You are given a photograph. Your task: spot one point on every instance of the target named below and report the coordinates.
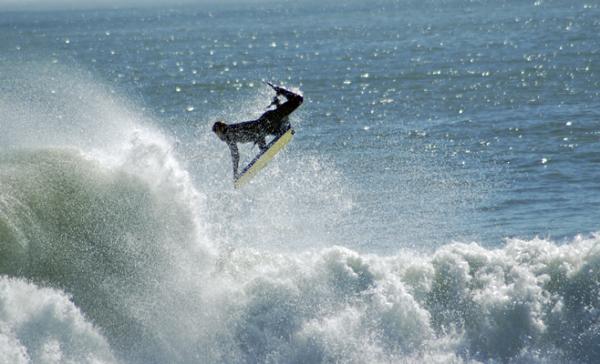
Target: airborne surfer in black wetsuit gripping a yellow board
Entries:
(273, 122)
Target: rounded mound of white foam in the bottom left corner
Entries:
(42, 325)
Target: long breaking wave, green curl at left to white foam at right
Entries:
(119, 249)
